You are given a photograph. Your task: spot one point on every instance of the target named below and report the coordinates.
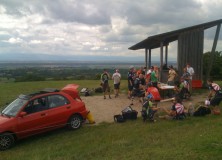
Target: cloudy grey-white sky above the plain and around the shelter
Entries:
(97, 29)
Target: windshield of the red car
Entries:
(13, 108)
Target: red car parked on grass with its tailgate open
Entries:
(39, 112)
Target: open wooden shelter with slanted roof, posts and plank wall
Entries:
(190, 46)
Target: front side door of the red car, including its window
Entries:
(35, 119)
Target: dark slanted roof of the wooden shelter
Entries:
(153, 42)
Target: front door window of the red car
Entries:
(36, 105)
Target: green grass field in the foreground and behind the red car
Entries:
(193, 138)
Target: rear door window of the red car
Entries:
(57, 100)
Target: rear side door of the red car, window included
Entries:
(59, 110)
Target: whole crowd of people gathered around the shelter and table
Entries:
(140, 80)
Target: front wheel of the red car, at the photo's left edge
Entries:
(7, 140)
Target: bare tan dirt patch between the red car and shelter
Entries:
(103, 110)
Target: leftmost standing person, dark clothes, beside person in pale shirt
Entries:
(105, 83)
